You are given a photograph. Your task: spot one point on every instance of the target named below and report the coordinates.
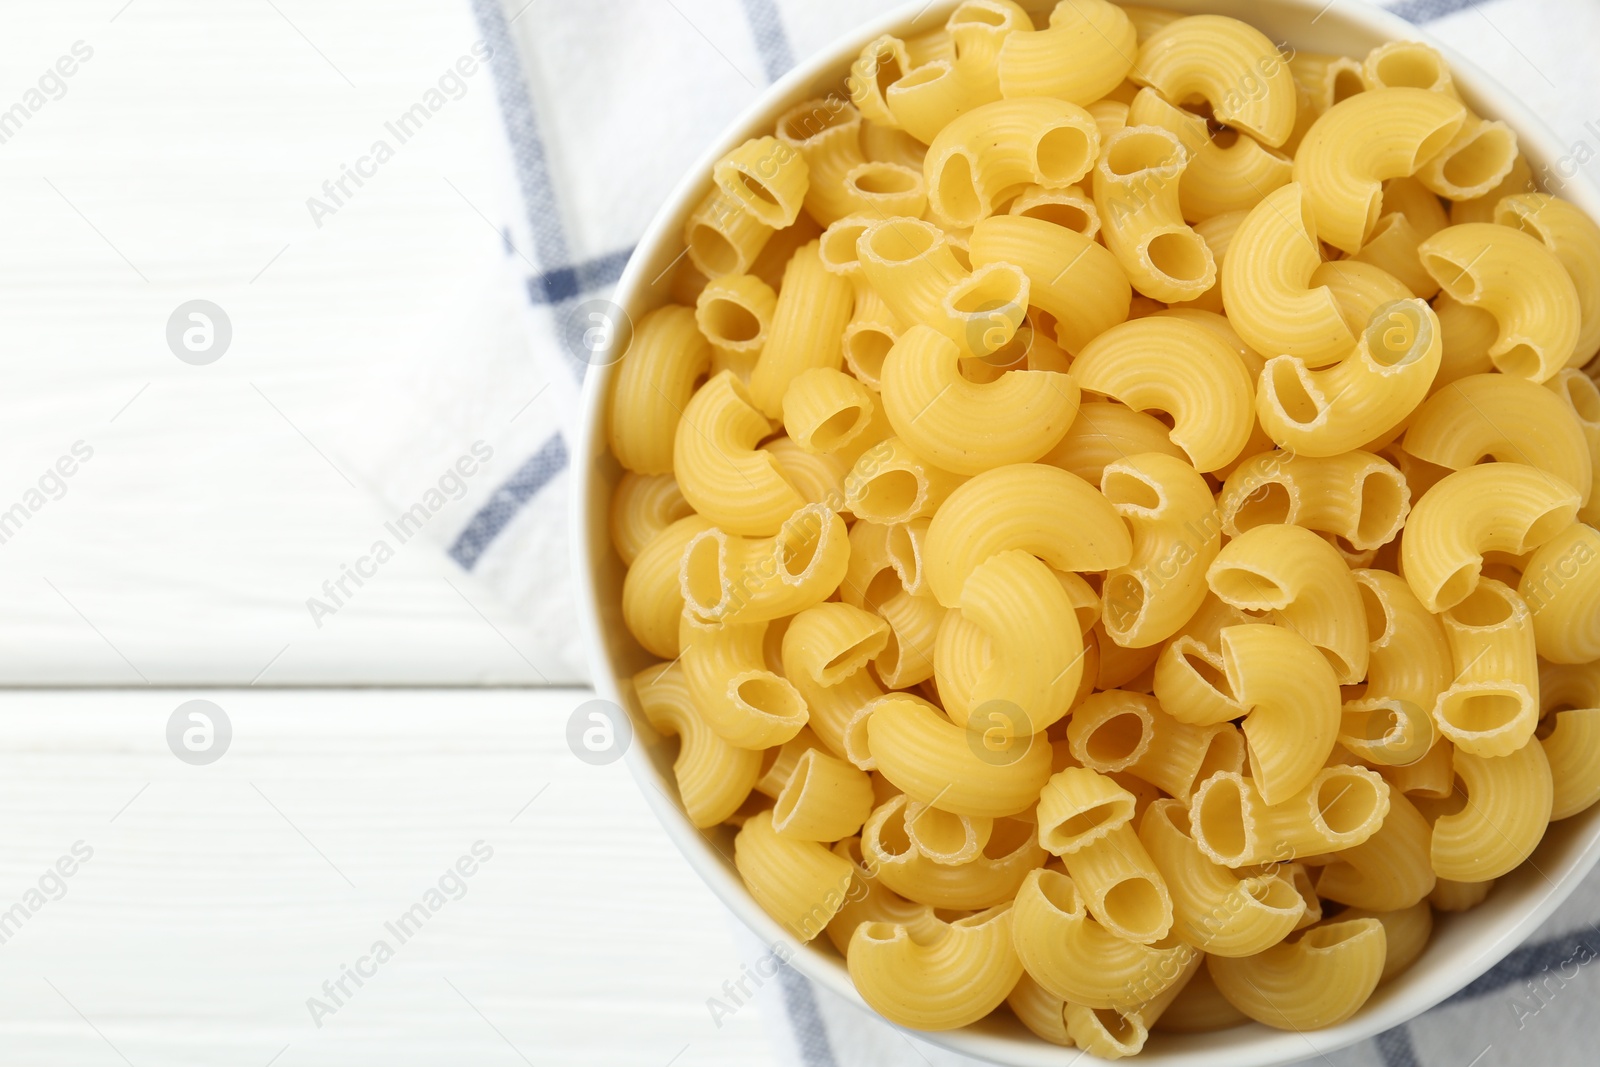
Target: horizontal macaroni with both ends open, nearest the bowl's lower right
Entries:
(1236, 826)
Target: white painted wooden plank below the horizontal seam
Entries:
(220, 898)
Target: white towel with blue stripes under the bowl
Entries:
(606, 106)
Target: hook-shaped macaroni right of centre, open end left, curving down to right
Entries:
(1302, 578)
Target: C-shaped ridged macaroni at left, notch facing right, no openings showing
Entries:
(721, 471)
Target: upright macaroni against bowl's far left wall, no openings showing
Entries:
(655, 382)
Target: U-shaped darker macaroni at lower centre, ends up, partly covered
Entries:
(991, 877)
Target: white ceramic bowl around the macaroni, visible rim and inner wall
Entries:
(1463, 946)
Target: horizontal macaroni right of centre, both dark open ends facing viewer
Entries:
(1356, 497)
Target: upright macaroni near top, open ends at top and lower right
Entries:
(1137, 183)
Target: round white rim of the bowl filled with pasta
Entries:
(591, 543)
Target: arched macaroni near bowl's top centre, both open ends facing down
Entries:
(1004, 145)
